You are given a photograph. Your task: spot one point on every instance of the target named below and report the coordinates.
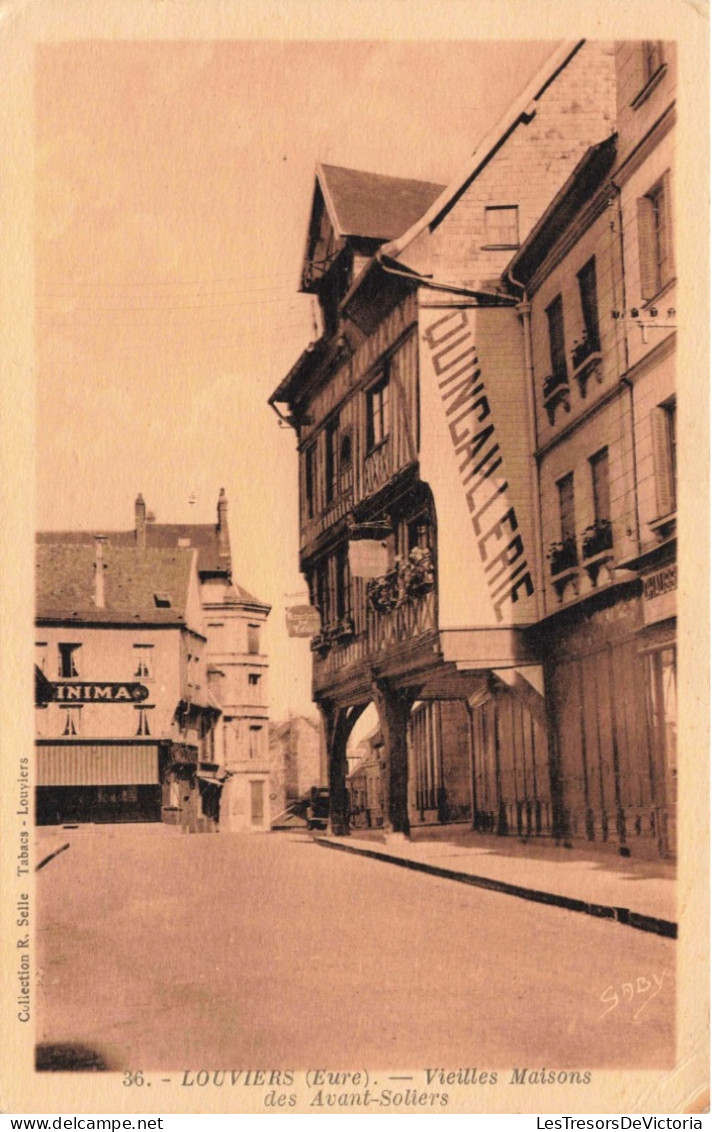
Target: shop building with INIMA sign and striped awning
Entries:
(121, 641)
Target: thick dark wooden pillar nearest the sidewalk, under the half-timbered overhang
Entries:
(394, 710)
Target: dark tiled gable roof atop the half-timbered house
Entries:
(373, 205)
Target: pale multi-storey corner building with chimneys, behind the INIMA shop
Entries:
(231, 777)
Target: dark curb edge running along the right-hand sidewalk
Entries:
(640, 921)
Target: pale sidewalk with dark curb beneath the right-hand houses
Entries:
(631, 890)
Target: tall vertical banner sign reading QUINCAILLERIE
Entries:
(475, 456)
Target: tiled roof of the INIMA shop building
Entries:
(139, 584)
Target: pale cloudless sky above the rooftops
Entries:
(174, 184)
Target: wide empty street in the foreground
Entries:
(167, 951)
